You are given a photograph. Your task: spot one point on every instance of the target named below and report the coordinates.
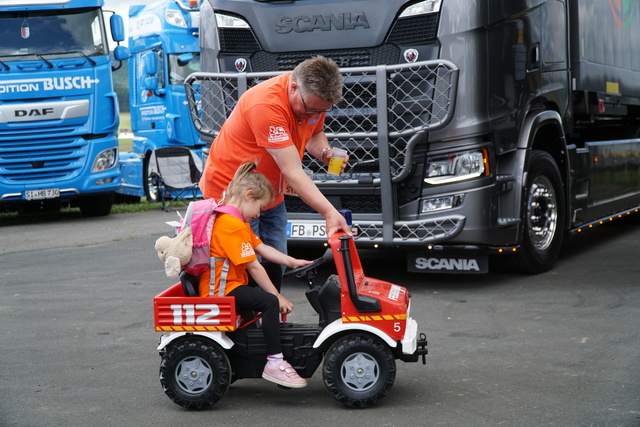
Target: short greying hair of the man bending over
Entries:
(320, 76)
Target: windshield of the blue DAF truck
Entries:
(52, 32)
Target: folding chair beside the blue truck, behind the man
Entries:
(176, 171)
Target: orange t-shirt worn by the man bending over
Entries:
(262, 119)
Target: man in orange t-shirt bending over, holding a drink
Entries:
(275, 122)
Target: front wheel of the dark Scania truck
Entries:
(544, 215)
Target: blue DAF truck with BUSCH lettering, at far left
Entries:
(58, 109)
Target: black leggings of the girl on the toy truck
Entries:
(256, 299)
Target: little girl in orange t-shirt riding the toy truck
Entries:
(234, 247)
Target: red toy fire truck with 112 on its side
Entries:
(363, 327)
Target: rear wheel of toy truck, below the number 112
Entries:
(195, 373)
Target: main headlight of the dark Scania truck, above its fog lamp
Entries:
(455, 167)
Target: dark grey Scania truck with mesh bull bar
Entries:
(473, 127)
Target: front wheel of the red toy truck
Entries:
(358, 370)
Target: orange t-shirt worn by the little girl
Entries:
(232, 243)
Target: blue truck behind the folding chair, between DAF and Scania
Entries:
(163, 42)
